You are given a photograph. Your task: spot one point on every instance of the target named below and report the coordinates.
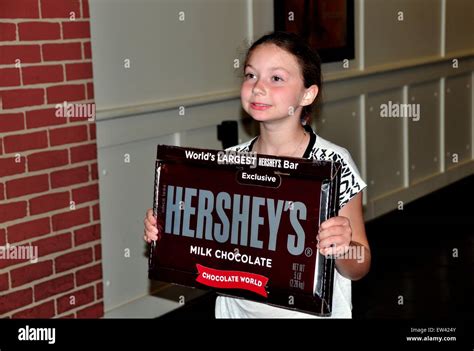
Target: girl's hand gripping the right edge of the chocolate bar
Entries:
(334, 236)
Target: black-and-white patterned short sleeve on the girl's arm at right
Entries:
(351, 181)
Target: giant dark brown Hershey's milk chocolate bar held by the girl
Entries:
(245, 225)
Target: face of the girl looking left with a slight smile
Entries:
(273, 87)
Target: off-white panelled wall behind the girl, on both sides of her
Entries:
(189, 64)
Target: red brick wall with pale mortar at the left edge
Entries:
(50, 264)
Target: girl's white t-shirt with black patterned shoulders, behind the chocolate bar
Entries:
(351, 184)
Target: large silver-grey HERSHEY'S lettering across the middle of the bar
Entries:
(245, 215)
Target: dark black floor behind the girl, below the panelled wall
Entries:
(422, 262)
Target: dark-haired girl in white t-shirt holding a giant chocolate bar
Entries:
(282, 78)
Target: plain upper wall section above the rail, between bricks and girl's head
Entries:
(169, 58)
